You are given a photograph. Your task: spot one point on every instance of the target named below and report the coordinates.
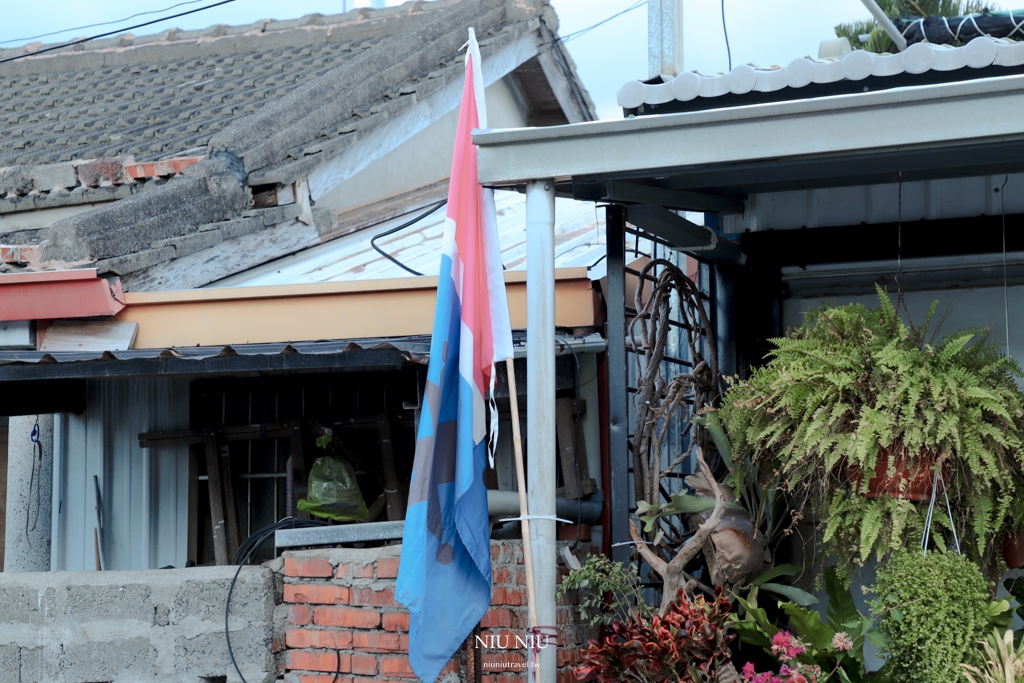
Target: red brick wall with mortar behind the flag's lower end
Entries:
(343, 617)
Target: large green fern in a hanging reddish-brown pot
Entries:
(858, 391)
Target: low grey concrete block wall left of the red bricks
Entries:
(136, 626)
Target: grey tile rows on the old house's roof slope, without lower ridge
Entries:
(161, 96)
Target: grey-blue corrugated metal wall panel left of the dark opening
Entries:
(144, 491)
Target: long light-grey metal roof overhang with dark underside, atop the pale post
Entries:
(950, 131)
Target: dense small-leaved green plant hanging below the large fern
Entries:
(933, 611)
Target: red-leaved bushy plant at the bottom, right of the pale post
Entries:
(687, 646)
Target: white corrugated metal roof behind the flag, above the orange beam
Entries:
(579, 242)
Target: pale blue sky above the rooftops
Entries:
(761, 32)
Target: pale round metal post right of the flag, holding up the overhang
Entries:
(541, 456)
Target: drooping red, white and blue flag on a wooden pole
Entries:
(445, 575)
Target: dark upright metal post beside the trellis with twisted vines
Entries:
(618, 487)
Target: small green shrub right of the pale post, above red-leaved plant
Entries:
(601, 577)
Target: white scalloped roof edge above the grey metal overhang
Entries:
(879, 70)
